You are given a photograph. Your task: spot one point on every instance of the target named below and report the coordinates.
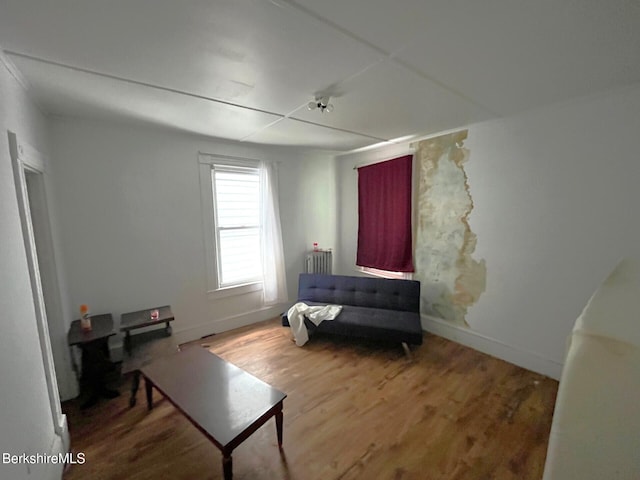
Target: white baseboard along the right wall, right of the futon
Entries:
(493, 347)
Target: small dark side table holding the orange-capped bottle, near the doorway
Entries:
(96, 359)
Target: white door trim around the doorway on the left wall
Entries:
(26, 158)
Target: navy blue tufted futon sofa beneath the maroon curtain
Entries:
(374, 308)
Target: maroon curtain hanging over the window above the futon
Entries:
(384, 215)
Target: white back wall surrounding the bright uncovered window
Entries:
(131, 221)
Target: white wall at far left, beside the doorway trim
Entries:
(26, 420)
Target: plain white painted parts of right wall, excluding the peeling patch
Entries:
(555, 193)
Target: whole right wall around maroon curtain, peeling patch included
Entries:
(548, 214)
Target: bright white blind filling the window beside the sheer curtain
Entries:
(237, 210)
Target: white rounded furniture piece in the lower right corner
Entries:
(595, 432)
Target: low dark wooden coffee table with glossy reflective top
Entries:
(221, 400)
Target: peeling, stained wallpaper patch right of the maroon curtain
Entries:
(451, 278)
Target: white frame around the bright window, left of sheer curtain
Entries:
(211, 241)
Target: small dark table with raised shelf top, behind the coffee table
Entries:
(141, 349)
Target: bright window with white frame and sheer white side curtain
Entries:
(241, 225)
